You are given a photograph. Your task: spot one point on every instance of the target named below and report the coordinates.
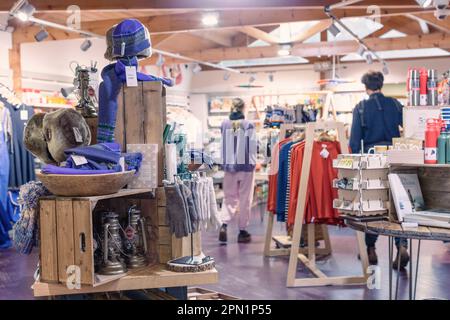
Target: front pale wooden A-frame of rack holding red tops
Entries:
(320, 279)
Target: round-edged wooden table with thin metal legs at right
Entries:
(395, 230)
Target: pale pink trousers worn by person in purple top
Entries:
(238, 194)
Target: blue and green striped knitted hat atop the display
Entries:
(131, 38)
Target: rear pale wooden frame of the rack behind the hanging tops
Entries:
(282, 240)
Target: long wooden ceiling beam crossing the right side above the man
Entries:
(437, 40)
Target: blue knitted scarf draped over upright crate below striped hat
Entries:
(113, 78)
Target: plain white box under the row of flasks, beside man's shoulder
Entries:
(415, 118)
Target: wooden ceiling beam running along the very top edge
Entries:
(45, 5)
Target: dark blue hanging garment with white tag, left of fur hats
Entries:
(21, 161)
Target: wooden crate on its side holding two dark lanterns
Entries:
(67, 233)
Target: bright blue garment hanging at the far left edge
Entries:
(5, 219)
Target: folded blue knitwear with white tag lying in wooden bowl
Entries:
(96, 159)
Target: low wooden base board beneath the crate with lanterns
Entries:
(154, 277)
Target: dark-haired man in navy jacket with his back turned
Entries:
(375, 122)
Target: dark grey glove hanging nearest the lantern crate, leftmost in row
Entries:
(176, 211)
